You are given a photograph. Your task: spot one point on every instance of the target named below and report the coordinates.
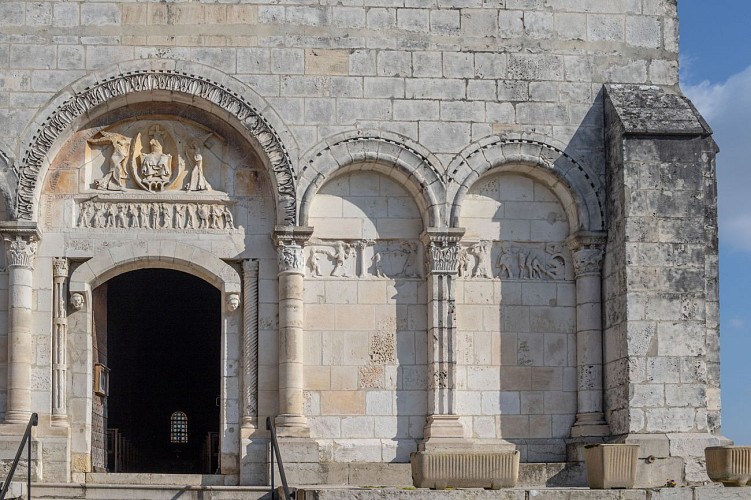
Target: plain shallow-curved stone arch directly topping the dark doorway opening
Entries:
(155, 254)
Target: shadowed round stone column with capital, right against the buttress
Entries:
(587, 250)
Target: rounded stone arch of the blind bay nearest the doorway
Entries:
(413, 166)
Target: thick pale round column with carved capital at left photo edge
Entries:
(21, 251)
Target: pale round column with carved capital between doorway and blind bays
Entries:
(291, 421)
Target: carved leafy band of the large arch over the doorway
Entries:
(156, 80)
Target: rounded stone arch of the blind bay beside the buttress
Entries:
(581, 191)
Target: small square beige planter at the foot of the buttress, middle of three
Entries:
(611, 465)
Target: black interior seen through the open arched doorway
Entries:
(163, 330)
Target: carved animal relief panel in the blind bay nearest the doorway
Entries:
(364, 258)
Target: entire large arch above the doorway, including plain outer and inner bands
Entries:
(164, 80)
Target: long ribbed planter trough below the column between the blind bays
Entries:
(465, 470)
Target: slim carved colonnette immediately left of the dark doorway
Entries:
(59, 341)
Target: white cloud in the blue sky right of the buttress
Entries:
(727, 108)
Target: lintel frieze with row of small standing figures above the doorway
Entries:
(166, 215)
